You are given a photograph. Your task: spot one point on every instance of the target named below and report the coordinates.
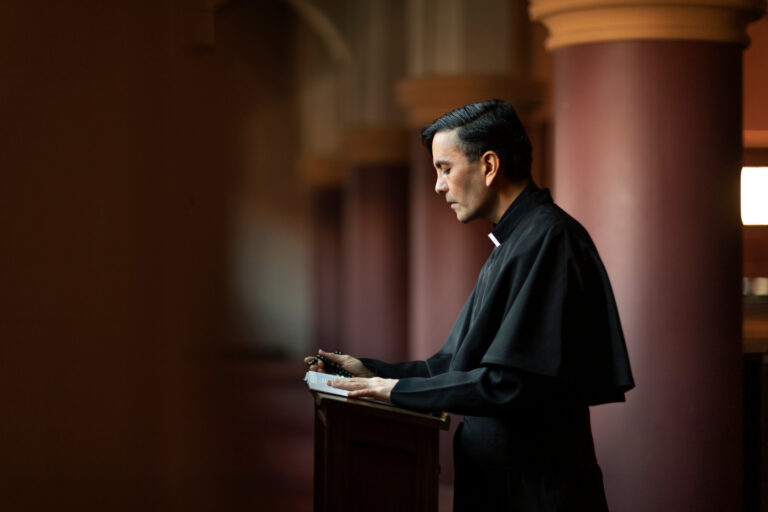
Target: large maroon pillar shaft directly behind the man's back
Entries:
(647, 157)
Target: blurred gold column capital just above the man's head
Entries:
(425, 99)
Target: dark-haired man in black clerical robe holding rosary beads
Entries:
(537, 342)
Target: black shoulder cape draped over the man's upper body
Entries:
(543, 304)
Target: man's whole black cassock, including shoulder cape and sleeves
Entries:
(537, 342)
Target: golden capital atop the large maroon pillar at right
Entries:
(573, 22)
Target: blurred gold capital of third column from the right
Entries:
(372, 146)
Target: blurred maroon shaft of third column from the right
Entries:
(376, 269)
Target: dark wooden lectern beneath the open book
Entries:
(374, 457)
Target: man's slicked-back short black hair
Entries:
(490, 125)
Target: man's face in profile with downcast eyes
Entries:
(461, 181)
